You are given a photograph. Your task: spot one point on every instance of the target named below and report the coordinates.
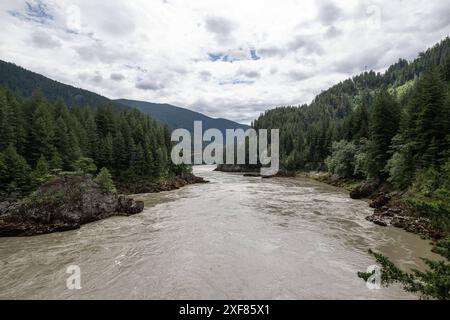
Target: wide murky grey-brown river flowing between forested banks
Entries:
(234, 238)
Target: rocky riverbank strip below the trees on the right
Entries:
(390, 206)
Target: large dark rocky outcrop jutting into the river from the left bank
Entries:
(63, 204)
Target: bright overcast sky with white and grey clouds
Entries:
(231, 59)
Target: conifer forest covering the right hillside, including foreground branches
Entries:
(393, 128)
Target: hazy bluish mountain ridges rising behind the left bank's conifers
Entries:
(24, 82)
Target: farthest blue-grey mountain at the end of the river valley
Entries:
(176, 117)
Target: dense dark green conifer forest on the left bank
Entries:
(40, 139)
